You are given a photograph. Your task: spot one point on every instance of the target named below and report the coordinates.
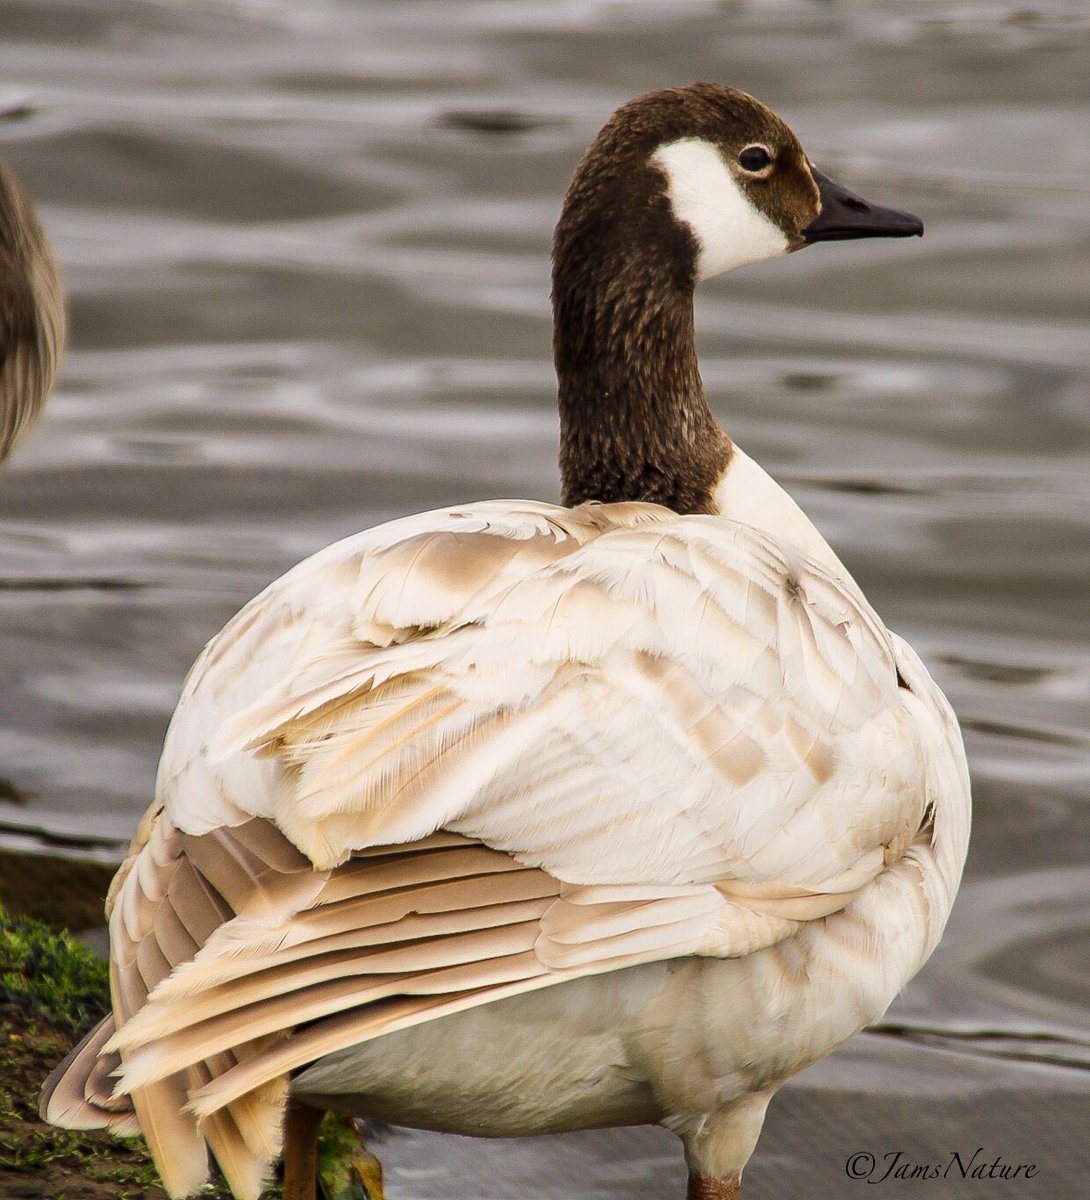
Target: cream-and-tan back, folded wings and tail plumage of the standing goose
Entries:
(733, 710)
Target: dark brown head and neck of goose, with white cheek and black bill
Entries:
(679, 187)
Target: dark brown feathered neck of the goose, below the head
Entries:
(634, 421)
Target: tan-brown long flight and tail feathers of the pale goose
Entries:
(224, 944)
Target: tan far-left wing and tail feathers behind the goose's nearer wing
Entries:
(172, 895)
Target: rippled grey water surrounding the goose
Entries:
(307, 251)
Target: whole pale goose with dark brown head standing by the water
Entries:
(520, 818)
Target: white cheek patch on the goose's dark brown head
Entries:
(730, 230)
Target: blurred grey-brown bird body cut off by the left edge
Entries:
(32, 314)
